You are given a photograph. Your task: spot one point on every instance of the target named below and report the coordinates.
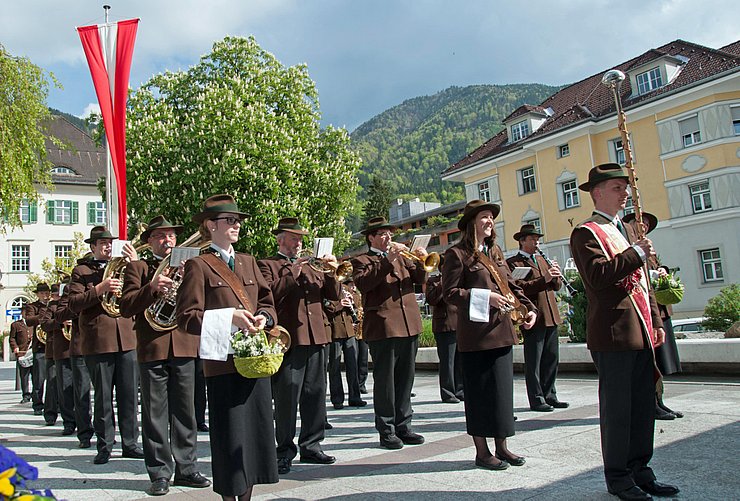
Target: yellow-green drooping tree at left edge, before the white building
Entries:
(23, 113)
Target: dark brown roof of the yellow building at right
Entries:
(590, 100)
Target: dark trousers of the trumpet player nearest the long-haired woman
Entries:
(393, 378)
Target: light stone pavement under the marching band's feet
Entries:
(698, 453)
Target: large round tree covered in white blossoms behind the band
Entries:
(239, 122)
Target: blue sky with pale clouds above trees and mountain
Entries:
(369, 55)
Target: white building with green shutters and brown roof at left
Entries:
(73, 205)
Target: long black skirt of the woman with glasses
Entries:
(242, 433)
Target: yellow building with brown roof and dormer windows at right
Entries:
(682, 103)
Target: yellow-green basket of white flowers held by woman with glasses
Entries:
(256, 355)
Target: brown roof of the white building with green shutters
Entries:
(78, 153)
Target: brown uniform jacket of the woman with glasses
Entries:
(203, 289)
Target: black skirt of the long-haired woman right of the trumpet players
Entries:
(488, 379)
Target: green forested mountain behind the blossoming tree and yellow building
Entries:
(410, 144)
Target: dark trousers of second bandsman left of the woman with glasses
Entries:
(119, 370)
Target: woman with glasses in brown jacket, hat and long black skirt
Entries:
(242, 432)
